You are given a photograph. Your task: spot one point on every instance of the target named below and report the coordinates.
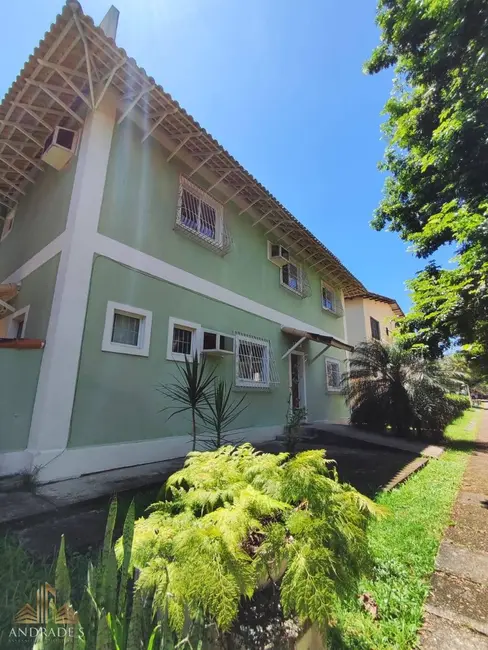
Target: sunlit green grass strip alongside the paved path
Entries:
(404, 546)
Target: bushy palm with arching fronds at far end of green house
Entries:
(391, 388)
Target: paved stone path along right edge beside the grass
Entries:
(456, 613)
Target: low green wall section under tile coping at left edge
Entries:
(19, 372)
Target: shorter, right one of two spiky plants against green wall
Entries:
(222, 411)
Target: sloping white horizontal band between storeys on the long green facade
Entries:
(159, 269)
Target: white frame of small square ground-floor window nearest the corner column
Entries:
(145, 326)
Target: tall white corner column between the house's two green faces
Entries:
(59, 368)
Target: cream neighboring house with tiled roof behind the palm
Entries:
(371, 316)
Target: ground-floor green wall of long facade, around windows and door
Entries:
(116, 398)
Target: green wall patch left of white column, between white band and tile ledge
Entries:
(37, 290)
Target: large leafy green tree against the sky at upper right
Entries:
(436, 191)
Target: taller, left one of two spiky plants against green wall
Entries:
(188, 391)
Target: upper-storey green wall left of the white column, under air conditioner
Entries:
(40, 218)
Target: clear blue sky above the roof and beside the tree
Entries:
(282, 89)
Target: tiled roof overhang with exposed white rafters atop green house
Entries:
(68, 75)
